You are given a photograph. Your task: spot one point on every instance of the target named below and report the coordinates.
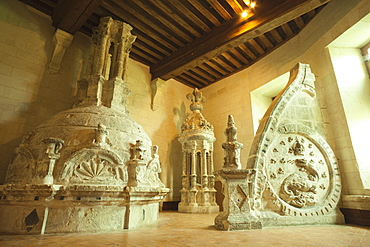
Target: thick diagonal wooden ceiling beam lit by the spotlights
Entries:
(230, 34)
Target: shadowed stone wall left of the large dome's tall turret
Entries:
(29, 94)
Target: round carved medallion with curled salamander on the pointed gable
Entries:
(302, 175)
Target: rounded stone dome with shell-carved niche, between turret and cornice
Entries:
(79, 130)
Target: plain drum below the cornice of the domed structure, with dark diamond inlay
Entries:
(42, 220)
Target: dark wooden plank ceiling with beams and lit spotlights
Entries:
(196, 42)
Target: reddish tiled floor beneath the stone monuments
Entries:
(180, 229)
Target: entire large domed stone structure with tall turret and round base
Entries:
(91, 168)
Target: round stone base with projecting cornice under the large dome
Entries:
(39, 209)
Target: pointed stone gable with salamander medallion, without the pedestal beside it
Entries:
(293, 155)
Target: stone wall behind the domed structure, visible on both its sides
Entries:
(29, 94)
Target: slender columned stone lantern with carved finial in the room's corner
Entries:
(198, 194)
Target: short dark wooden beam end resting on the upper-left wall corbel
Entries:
(71, 15)
